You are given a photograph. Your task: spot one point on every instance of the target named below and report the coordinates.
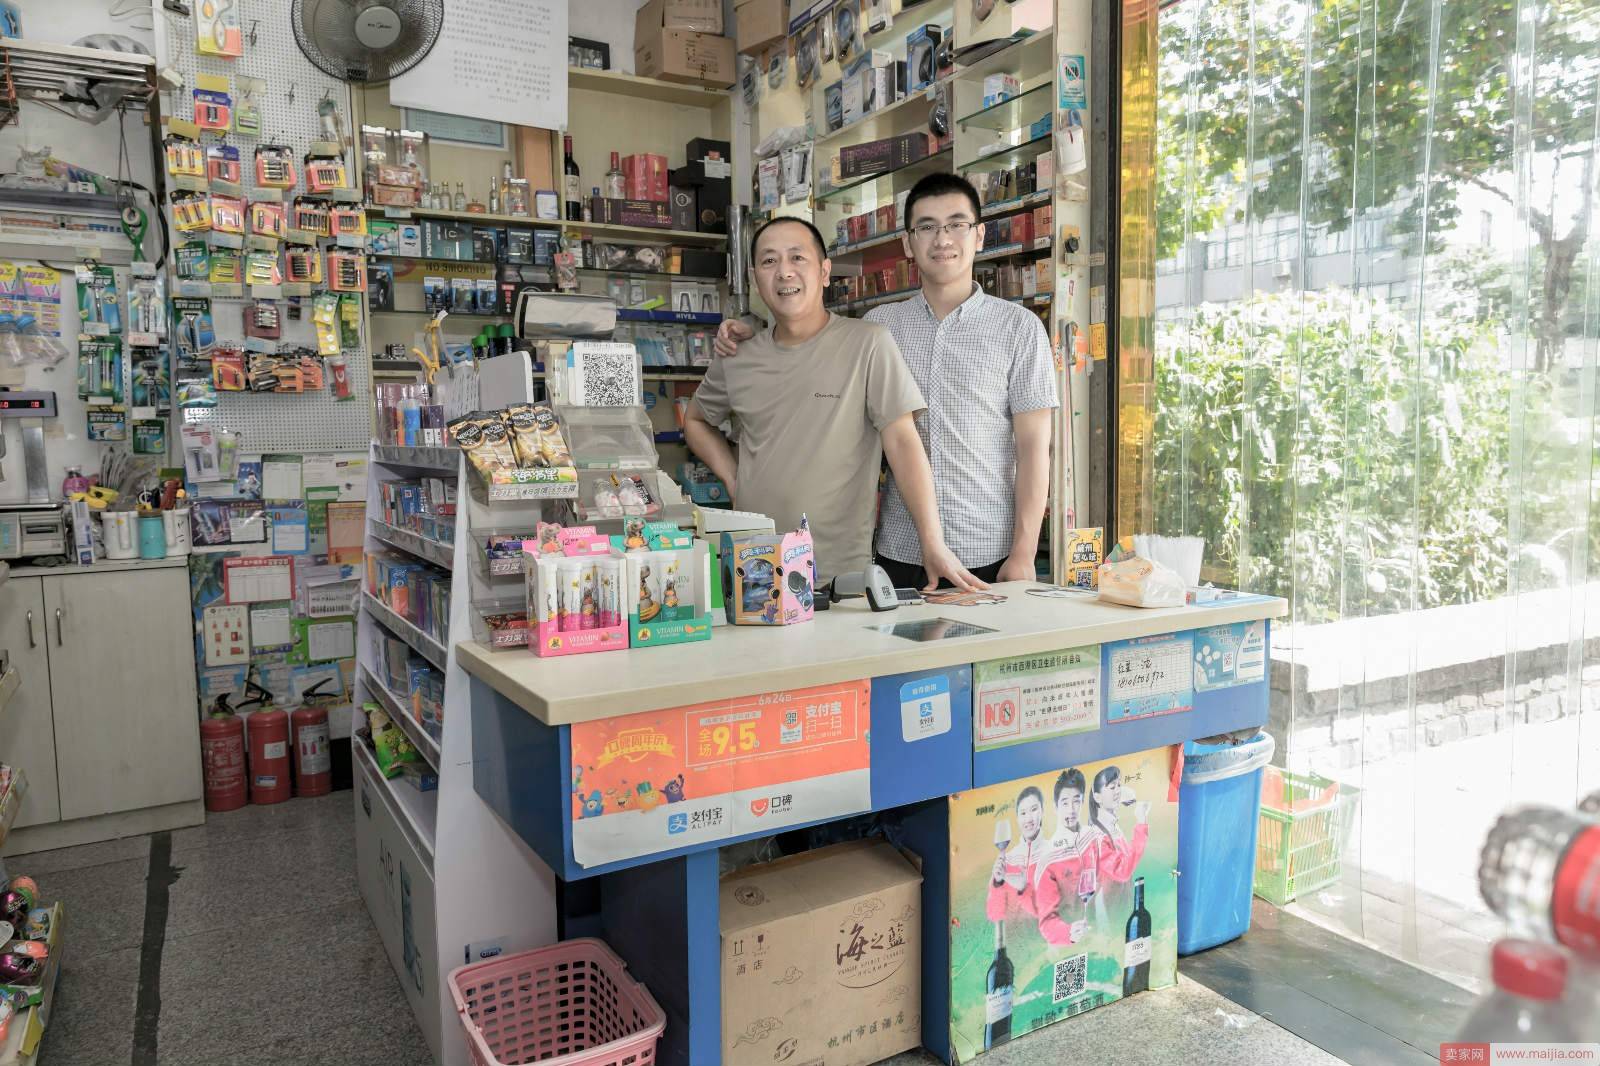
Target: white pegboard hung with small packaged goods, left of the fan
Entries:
(284, 286)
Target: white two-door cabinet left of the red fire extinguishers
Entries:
(105, 723)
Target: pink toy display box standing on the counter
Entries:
(575, 595)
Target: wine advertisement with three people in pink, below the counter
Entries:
(1065, 896)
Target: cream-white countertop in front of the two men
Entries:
(838, 646)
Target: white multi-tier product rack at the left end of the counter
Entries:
(412, 726)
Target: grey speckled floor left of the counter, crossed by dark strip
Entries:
(268, 955)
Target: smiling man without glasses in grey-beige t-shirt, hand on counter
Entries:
(820, 401)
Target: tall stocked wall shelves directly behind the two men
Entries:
(996, 94)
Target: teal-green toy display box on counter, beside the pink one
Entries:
(668, 585)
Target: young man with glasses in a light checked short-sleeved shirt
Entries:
(986, 371)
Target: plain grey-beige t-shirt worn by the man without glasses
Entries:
(809, 420)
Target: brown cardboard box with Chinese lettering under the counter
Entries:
(826, 944)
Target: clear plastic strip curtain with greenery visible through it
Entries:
(1374, 393)
